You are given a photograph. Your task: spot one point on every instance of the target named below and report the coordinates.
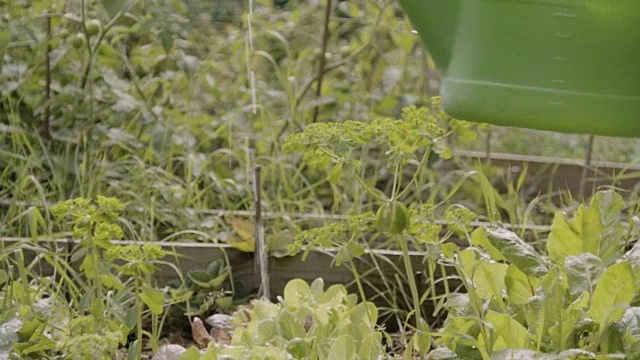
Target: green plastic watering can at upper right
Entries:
(560, 65)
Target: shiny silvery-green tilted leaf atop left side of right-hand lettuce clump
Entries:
(518, 252)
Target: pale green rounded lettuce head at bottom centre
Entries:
(309, 322)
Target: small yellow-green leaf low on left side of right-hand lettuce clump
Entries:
(507, 332)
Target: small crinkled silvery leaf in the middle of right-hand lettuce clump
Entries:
(583, 272)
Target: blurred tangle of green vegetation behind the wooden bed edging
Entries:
(168, 105)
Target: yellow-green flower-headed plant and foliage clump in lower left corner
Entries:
(90, 313)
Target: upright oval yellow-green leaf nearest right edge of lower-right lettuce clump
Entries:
(612, 295)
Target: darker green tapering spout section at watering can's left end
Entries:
(436, 23)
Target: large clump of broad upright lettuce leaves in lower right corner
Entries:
(575, 297)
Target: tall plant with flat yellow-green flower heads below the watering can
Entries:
(405, 143)
